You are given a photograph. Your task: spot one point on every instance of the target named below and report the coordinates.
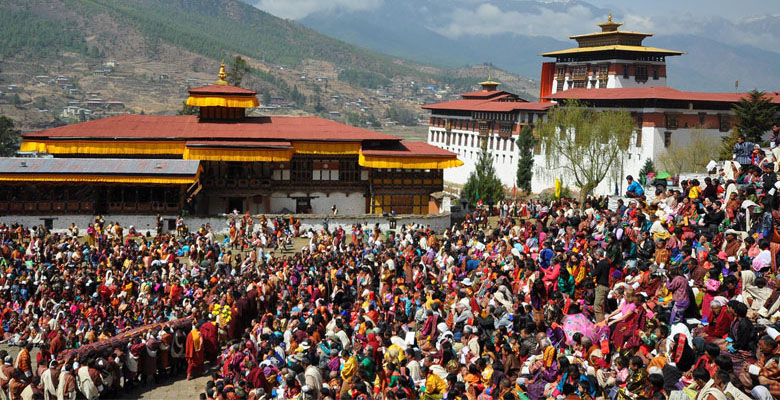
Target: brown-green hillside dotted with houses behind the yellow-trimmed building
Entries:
(56, 54)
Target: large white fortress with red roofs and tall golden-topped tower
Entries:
(608, 70)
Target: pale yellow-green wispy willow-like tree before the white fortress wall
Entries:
(584, 143)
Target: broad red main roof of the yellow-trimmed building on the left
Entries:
(188, 127)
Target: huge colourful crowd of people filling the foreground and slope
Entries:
(670, 297)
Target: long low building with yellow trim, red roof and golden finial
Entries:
(219, 161)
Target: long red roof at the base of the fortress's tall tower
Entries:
(661, 93)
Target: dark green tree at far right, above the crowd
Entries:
(755, 115)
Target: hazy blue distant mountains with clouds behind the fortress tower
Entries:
(511, 33)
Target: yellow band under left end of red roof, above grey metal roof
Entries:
(113, 147)
